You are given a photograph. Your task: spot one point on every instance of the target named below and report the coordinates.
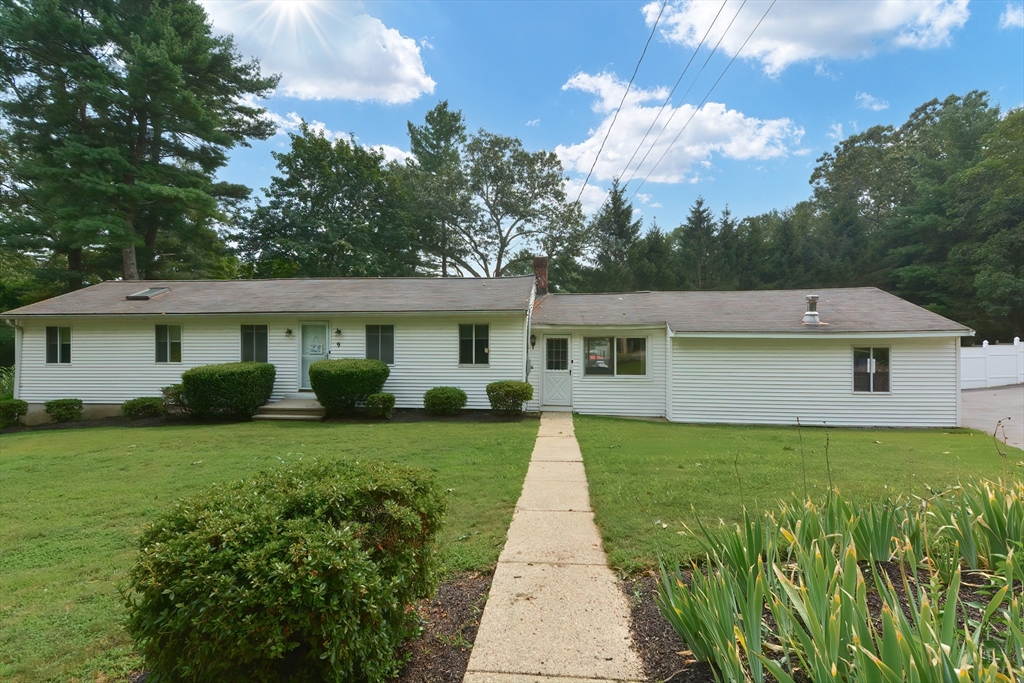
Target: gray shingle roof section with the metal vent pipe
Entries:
(845, 311)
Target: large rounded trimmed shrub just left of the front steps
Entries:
(228, 391)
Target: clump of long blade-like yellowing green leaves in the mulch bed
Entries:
(861, 593)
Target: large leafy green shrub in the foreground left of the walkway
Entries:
(305, 575)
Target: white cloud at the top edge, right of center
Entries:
(797, 31)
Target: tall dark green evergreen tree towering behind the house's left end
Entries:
(121, 113)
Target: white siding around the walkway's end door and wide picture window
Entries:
(633, 396)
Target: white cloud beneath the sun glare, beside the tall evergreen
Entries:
(325, 51)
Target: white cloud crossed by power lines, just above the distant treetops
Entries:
(714, 130)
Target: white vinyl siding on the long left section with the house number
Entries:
(114, 358)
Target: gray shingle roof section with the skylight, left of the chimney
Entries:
(293, 296)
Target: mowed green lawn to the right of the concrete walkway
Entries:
(651, 482)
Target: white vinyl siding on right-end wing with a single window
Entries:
(776, 381)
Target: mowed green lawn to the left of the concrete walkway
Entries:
(74, 502)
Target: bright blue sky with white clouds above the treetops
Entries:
(554, 73)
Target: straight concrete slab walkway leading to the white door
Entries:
(554, 614)
